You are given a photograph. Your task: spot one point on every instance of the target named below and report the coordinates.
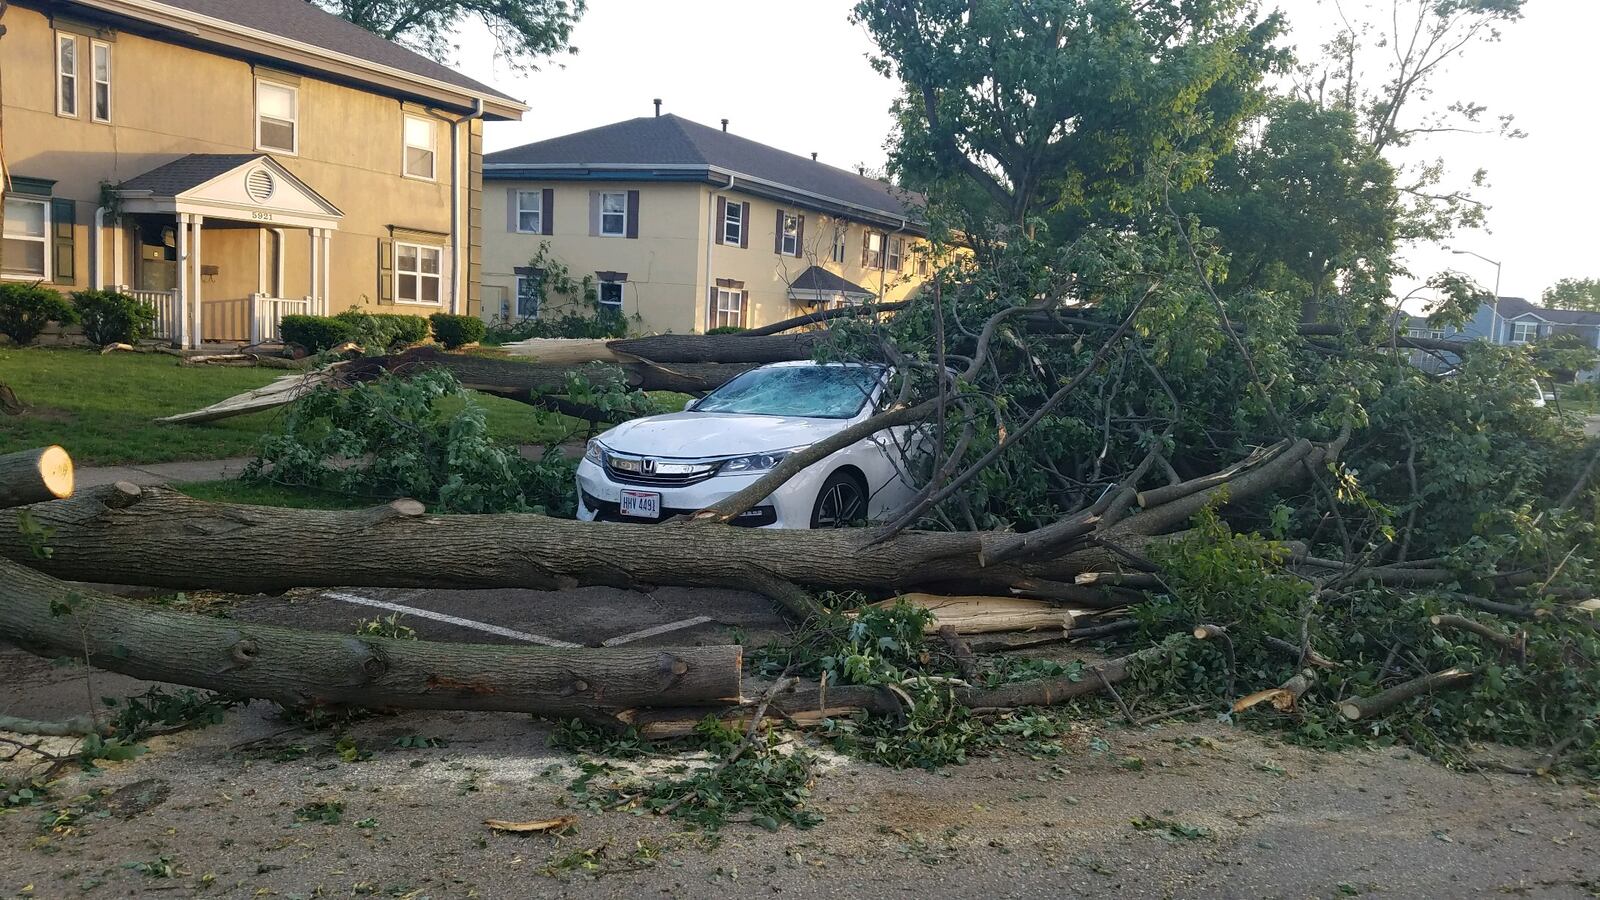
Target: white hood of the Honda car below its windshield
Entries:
(690, 435)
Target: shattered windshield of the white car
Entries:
(814, 392)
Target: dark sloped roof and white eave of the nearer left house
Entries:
(305, 36)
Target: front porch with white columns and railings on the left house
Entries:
(223, 247)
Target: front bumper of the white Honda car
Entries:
(790, 507)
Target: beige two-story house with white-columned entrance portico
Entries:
(236, 161)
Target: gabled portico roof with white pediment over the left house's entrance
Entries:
(252, 188)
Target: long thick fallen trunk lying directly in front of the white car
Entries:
(167, 540)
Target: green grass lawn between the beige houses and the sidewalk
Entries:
(103, 408)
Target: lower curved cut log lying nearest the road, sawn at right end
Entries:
(297, 667)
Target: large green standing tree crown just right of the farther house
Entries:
(1020, 108)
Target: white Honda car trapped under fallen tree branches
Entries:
(662, 467)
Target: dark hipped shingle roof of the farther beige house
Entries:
(673, 148)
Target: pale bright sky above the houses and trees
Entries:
(802, 82)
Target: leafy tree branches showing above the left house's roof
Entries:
(526, 31)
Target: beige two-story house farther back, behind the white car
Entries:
(687, 228)
